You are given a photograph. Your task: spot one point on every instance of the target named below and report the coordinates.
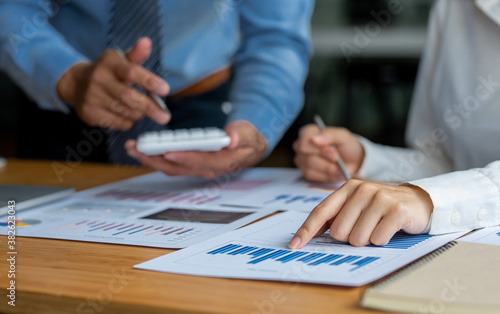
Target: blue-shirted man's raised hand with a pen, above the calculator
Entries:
(101, 93)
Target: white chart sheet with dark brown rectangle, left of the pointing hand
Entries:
(165, 227)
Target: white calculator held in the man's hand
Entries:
(198, 139)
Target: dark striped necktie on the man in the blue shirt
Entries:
(130, 20)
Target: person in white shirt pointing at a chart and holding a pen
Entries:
(452, 164)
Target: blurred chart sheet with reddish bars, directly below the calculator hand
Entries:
(157, 188)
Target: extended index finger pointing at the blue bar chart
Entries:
(319, 216)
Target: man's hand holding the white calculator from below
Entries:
(246, 147)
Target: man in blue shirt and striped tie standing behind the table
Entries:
(61, 53)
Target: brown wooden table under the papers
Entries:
(57, 276)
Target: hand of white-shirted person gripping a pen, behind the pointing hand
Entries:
(318, 160)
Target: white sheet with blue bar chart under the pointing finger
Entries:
(259, 251)
